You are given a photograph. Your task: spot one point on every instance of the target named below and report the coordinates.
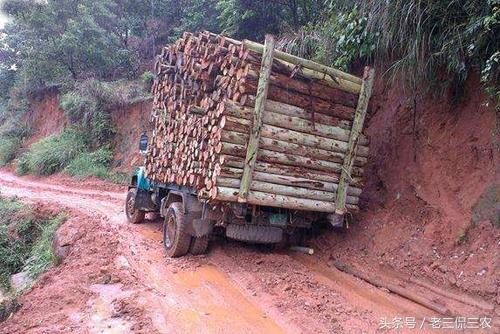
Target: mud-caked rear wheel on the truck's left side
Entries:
(175, 240)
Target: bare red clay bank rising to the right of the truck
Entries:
(432, 198)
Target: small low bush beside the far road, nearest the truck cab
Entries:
(91, 164)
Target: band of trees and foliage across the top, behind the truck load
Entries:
(106, 40)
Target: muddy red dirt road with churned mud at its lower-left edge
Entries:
(116, 279)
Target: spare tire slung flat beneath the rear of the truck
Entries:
(254, 233)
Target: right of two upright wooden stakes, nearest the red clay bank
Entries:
(357, 127)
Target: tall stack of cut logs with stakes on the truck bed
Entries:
(242, 122)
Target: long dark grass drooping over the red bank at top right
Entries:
(421, 38)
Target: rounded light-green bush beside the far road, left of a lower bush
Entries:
(51, 154)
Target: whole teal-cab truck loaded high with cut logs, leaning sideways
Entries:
(255, 141)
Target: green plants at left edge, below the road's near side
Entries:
(25, 240)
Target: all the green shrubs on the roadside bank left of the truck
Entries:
(82, 149)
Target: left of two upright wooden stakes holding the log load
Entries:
(260, 100)
